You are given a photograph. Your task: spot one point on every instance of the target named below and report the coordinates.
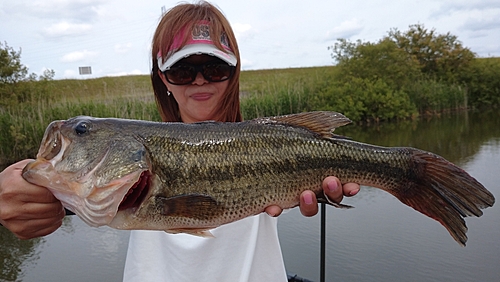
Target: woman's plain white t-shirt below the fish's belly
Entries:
(245, 250)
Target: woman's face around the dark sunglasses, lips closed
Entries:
(198, 99)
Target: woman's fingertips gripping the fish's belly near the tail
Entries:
(333, 189)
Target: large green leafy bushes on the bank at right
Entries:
(408, 73)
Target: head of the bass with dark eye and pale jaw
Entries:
(91, 165)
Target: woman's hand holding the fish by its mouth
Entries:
(27, 210)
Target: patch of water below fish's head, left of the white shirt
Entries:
(75, 253)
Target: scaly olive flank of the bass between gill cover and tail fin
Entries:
(243, 168)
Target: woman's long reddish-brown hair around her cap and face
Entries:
(172, 22)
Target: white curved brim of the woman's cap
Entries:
(197, 49)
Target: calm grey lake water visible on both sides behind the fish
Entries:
(379, 240)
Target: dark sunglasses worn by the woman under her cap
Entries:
(184, 73)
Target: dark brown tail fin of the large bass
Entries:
(444, 192)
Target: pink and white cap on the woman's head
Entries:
(199, 43)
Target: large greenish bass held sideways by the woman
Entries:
(189, 178)
